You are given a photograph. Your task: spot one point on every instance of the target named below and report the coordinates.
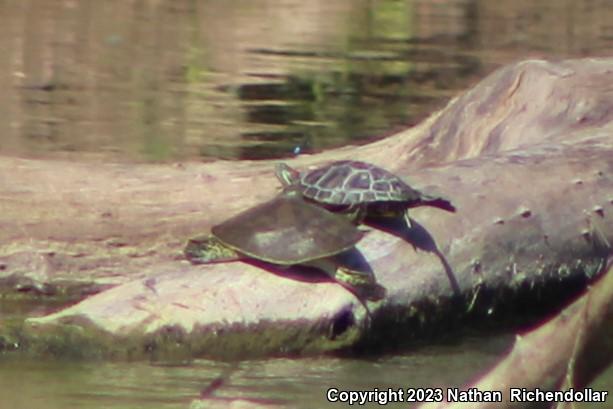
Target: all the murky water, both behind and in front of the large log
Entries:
(184, 79)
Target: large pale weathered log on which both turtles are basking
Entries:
(526, 156)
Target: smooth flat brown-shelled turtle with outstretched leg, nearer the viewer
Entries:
(288, 231)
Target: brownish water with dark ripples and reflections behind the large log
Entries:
(254, 79)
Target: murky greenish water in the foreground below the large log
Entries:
(299, 382)
